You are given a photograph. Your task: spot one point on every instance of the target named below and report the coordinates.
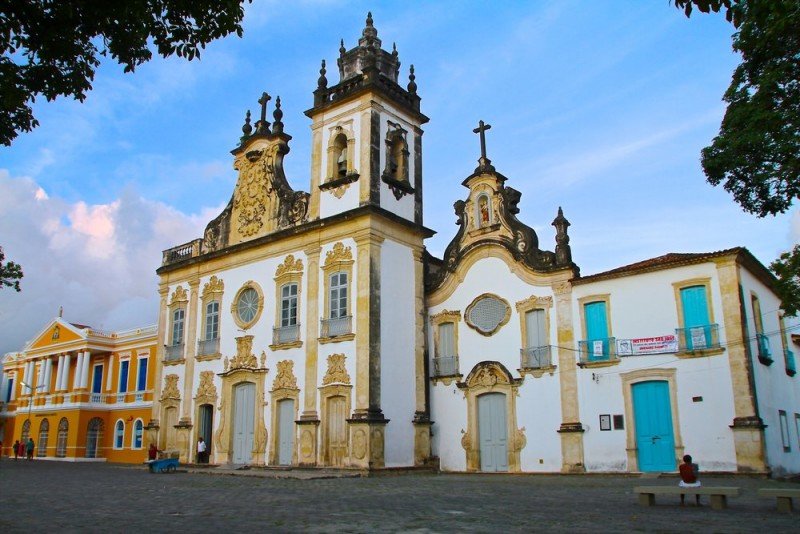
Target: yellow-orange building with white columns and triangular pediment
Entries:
(80, 393)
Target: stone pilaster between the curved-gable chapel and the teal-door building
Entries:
(571, 430)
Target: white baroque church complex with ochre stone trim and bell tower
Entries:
(315, 329)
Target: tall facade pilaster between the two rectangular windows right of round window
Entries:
(308, 425)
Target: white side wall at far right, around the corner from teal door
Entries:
(775, 390)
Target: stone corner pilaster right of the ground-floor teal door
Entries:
(748, 427)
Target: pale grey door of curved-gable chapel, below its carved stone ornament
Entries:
(493, 432)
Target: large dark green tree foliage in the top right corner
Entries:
(756, 156)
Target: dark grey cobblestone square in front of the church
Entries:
(55, 496)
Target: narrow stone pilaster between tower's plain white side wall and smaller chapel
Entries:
(422, 421)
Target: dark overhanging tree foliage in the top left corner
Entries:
(52, 48)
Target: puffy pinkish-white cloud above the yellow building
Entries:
(96, 260)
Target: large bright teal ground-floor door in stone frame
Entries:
(655, 442)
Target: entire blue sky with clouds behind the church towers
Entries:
(599, 107)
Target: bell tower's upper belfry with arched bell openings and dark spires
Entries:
(366, 134)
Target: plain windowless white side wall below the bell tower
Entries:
(398, 322)
